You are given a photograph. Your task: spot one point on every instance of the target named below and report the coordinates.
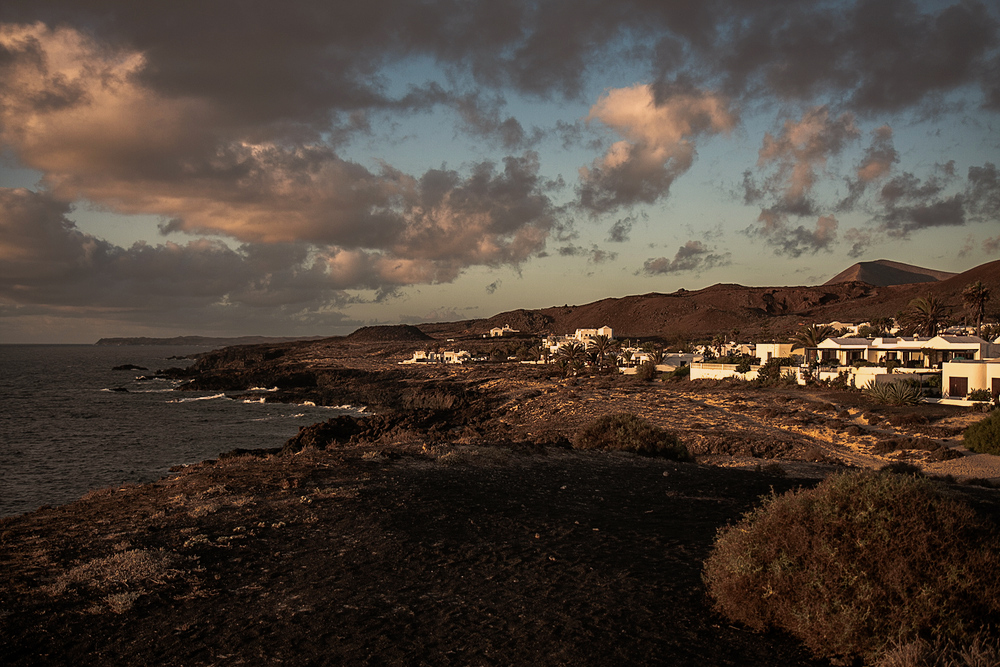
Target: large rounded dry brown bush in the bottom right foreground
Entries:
(858, 562)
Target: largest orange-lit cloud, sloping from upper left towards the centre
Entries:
(98, 132)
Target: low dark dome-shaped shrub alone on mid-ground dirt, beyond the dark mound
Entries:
(629, 433)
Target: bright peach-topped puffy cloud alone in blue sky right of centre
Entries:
(657, 144)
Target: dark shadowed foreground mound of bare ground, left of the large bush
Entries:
(450, 556)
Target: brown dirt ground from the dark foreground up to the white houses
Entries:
(489, 542)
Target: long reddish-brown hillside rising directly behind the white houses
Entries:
(754, 311)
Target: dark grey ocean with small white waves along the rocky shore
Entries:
(64, 430)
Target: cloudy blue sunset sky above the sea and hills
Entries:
(309, 167)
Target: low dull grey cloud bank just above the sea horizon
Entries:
(48, 261)
